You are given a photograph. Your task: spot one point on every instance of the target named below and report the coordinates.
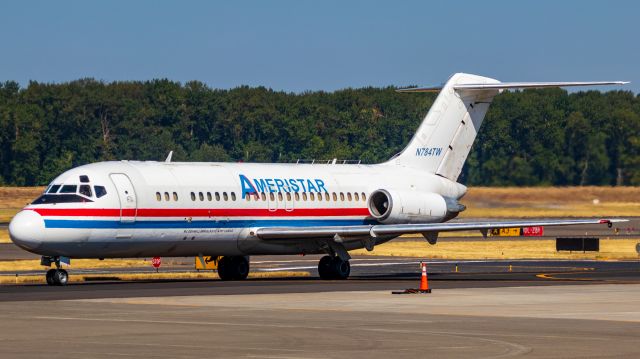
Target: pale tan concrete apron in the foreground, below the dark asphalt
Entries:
(542, 322)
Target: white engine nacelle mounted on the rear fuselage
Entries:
(390, 206)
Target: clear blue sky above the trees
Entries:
(319, 45)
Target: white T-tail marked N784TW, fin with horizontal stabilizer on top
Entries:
(443, 141)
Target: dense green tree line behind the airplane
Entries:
(532, 137)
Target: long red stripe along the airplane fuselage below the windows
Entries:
(200, 212)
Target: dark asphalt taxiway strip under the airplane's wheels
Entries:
(378, 273)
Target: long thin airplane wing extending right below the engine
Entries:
(268, 233)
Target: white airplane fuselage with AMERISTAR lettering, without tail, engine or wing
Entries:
(187, 209)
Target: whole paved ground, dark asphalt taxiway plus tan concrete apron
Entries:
(541, 309)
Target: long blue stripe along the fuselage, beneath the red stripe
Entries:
(103, 224)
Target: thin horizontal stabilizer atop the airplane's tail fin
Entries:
(512, 85)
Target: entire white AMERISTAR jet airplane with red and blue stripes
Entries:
(235, 210)
